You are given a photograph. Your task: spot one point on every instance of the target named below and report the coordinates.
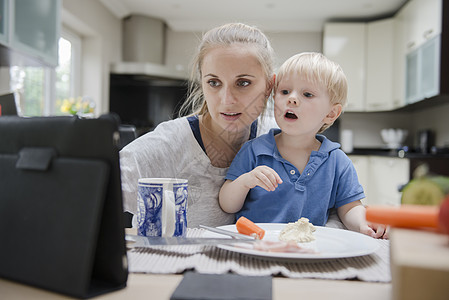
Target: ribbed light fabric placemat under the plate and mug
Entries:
(213, 260)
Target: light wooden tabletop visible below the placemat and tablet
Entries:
(141, 286)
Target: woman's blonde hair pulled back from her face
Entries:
(225, 35)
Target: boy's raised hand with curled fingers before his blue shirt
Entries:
(262, 176)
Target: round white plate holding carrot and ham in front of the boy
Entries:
(329, 243)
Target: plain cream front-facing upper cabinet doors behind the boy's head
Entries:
(366, 52)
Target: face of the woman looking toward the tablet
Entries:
(234, 86)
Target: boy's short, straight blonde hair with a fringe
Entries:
(317, 68)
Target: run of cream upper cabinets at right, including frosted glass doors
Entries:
(394, 61)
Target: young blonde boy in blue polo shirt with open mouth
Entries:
(293, 171)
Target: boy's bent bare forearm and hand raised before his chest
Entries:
(233, 192)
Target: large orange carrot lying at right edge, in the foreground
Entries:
(410, 216)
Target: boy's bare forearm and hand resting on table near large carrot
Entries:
(353, 215)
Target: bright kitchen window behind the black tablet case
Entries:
(41, 90)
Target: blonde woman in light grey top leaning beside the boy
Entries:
(231, 80)
